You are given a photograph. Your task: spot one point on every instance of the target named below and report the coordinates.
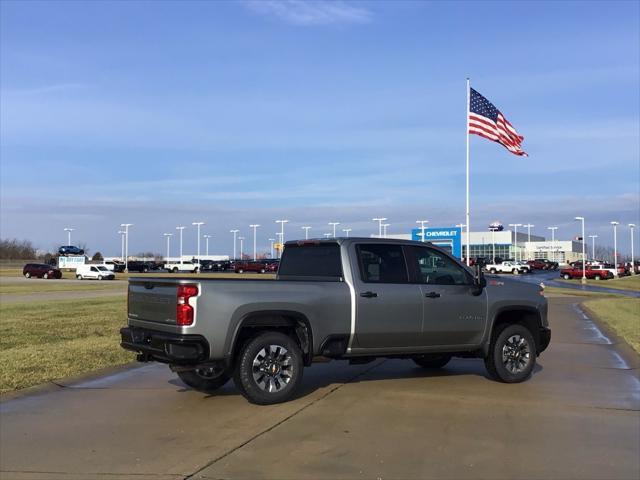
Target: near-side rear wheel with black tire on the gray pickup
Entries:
(275, 351)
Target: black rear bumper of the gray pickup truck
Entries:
(165, 347)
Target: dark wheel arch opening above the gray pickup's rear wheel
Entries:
(292, 322)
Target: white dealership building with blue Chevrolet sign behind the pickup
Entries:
(503, 244)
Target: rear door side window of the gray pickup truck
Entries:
(381, 263)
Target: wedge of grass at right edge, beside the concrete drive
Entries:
(622, 314)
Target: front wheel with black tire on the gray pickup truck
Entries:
(507, 340)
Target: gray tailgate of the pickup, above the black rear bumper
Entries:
(153, 301)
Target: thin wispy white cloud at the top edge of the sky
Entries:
(310, 13)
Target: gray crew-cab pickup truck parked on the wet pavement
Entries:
(346, 298)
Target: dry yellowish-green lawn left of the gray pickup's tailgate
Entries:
(43, 341)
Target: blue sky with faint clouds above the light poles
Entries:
(165, 113)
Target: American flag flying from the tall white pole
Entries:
(488, 122)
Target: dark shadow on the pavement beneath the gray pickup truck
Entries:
(338, 373)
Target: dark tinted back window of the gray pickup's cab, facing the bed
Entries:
(311, 260)
